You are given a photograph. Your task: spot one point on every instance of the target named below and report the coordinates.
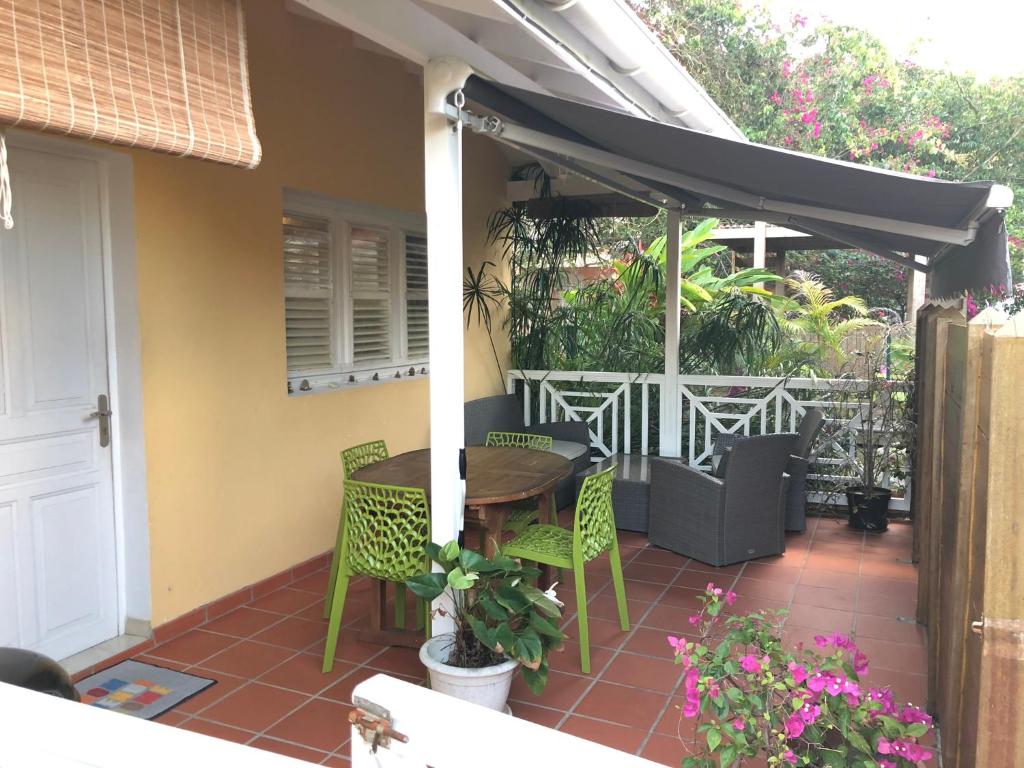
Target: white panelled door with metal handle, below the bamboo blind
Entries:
(58, 571)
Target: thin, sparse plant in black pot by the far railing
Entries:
(876, 392)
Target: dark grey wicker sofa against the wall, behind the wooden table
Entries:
(503, 413)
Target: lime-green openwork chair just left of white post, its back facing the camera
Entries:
(386, 537)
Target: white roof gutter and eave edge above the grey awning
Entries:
(608, 44)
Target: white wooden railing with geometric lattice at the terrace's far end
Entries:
(611, 403)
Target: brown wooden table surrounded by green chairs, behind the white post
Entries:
(495, 479)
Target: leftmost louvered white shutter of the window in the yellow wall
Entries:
(309, 292)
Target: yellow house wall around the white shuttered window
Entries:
(244, 482)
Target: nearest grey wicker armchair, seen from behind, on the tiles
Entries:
(722, 521)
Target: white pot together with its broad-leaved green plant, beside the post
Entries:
(502, 622)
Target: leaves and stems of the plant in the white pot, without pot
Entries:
(498, 613)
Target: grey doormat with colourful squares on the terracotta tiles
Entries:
(140, 690)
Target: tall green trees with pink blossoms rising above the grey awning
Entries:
(837, 92)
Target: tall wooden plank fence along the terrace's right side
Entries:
(969, 535)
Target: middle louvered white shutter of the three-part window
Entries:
(370, 289)
